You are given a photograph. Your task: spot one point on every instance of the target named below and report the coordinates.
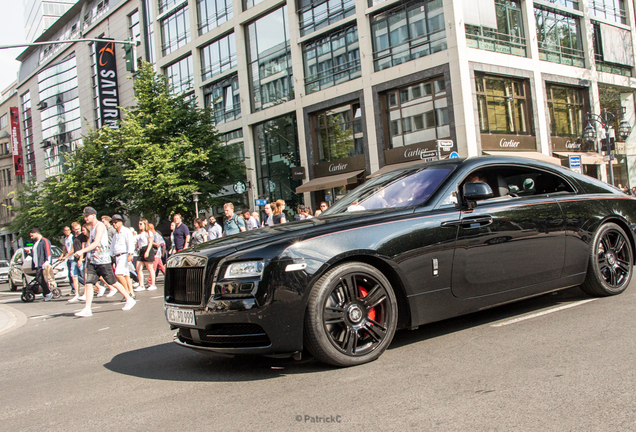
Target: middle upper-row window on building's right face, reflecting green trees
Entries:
(559, 37)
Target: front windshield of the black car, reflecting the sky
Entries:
(393, 190)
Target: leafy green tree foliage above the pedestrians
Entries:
(165, 149)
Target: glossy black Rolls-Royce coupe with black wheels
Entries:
(404, 249)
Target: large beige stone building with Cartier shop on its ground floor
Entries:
(321, 94)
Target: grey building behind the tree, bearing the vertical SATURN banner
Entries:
(58, 89)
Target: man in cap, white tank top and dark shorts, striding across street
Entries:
(98, 262)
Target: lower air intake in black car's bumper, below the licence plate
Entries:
(227, 336)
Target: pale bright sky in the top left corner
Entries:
(11, 32)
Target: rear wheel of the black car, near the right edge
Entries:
(610, 267)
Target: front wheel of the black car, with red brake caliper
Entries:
(351, 315)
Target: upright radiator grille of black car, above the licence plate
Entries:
(184, 285)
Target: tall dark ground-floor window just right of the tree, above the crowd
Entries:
(277, 151)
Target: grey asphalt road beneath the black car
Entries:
(562, 362)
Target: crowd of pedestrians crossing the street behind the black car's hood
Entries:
(104, 253)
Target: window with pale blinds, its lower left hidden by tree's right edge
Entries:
(224, 99)
